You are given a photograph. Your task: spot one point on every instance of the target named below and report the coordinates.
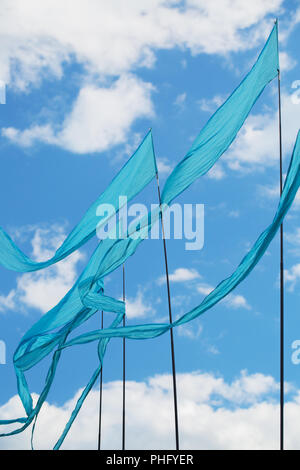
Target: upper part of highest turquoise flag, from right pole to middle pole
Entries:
(222, 128)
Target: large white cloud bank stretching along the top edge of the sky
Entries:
(111, 38)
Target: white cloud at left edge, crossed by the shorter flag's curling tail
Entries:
(42, 290)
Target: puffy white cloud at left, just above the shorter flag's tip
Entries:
(100, 118)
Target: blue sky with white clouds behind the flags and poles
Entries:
(84, 82)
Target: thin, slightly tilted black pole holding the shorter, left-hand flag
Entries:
(170, 318)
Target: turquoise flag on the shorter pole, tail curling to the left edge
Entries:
(138, 171)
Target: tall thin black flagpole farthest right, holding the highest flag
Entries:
(281, 280)
